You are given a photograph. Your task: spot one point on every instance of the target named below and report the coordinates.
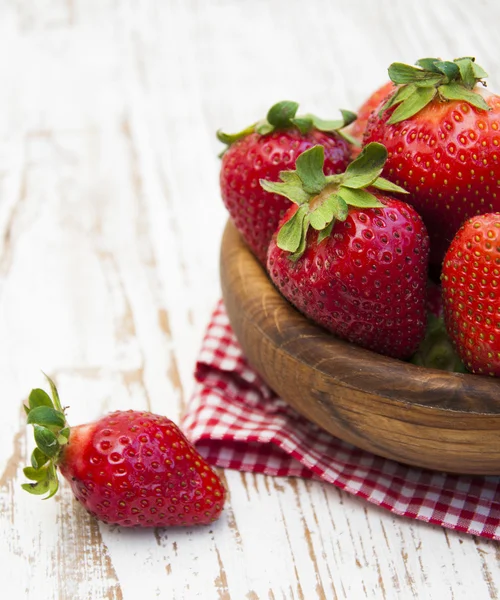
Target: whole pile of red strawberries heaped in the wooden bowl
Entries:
(385, 228)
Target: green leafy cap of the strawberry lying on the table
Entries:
(51, 433)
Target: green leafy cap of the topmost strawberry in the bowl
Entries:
(434, 78)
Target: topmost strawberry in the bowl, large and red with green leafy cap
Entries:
(443, 138)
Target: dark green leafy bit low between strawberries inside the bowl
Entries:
(436, 350)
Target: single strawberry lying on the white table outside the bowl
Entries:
(129, 468)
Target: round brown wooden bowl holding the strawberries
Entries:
(423, 417)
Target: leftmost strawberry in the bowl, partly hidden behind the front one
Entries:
(263, 150)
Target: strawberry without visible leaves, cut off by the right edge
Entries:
(471, 283)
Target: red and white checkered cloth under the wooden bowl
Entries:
(237, 422)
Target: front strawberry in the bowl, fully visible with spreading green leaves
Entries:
(353, 261)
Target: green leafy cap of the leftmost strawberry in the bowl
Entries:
(283, 115)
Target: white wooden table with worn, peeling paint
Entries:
(110, 225)
